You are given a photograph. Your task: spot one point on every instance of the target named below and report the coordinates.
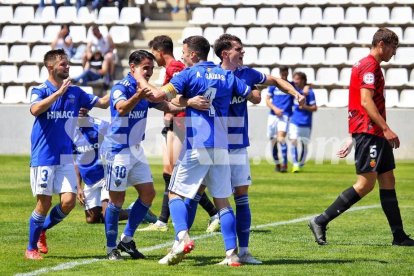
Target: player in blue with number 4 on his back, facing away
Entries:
(205, 157)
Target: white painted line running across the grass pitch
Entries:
(70, 265)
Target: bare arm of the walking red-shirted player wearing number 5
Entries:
(368, 104)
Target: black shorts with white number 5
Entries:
(372, 154)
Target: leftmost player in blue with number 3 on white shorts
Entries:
(55, 105)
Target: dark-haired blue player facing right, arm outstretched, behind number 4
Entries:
(229, 49)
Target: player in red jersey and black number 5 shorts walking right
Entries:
(374, 142)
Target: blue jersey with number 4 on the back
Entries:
(208, 129)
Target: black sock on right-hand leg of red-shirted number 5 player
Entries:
(389, 205)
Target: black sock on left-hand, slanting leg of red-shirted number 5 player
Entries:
(344, 201)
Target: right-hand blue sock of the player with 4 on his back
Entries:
(228, 227)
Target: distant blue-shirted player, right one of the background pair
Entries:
(301, 122)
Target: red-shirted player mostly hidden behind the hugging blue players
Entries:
(162, 48)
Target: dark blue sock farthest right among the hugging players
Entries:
(243, 220)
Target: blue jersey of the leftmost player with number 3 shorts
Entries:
(53, 130)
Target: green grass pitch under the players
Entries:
(359, 241)
